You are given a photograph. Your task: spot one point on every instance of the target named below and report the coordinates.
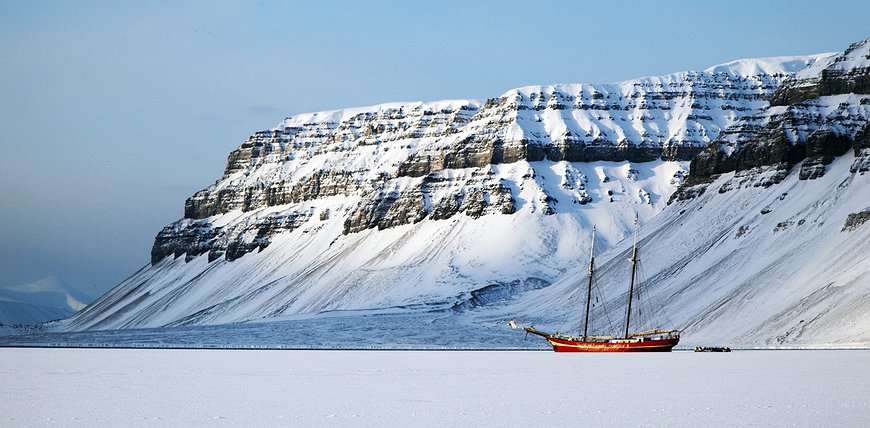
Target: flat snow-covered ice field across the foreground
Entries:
(162, 387)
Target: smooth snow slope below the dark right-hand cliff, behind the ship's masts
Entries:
(759, 266)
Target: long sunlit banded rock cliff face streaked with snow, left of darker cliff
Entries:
(403, 163)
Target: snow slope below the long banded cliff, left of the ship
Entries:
(435, 263)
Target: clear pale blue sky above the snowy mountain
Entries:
(112, 113)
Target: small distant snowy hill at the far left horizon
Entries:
(45, 300)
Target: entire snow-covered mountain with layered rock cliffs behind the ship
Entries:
(468, 204)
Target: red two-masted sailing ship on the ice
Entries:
(644, 341)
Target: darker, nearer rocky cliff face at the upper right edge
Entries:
(816, 115)
